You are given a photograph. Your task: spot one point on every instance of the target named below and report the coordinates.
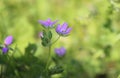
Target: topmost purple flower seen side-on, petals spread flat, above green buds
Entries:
(47, 23)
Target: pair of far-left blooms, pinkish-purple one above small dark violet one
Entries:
(8, 40)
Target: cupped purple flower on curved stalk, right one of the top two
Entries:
(63, 29)
